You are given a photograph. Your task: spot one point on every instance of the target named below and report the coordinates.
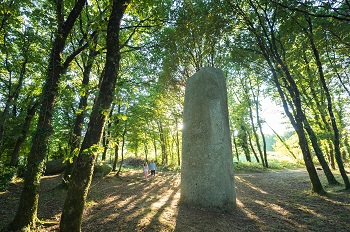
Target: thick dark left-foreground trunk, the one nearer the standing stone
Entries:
(82, 174)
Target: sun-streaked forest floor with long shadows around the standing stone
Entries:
(275, 200)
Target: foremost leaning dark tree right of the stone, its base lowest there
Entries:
(271, 47)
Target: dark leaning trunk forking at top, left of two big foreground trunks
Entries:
(26, 214)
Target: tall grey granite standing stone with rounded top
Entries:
(207, 178)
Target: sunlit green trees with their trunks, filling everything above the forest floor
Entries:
(90, 82)
